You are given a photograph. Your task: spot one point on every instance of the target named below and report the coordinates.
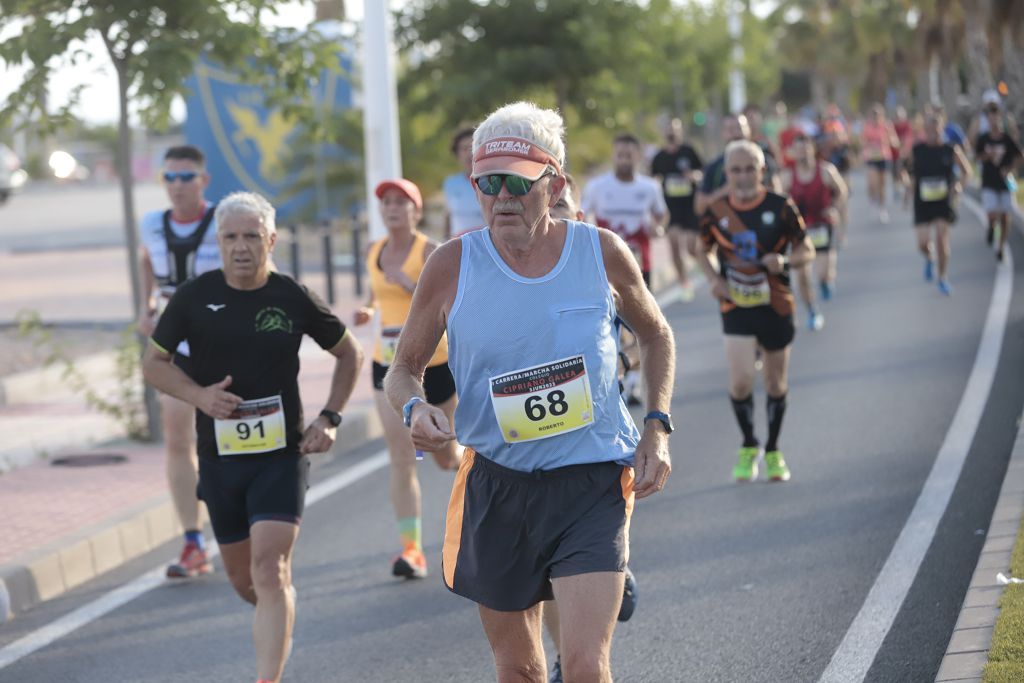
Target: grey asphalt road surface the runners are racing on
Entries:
(738, 583)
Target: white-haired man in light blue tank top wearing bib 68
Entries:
(542, 502)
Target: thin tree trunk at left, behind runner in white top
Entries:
(132, 238)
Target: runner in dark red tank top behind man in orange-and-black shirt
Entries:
(819, 190)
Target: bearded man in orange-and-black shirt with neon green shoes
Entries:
(751, 231)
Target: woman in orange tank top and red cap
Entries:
(395, 265)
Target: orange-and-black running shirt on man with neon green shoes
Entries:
(770, 225)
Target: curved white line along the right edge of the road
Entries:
(857, 653)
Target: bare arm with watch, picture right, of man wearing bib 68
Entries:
(637, 308)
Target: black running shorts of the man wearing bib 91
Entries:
(240, 493)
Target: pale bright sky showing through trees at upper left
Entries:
(99, 101)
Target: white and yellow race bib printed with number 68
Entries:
(544, 401)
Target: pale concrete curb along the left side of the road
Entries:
(50, 572)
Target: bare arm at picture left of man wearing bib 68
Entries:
(424, 327)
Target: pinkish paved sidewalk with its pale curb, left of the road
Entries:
(66, 526)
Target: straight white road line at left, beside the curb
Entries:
(155, 578)
